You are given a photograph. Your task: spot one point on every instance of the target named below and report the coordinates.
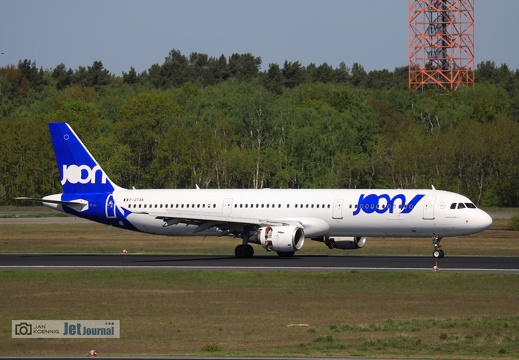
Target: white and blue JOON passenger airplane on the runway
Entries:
(277, 219)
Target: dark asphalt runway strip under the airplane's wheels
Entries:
(509, 265)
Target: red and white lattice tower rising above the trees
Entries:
(441, 44)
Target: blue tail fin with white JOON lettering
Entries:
(79, 171)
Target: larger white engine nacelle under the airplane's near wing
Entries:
(282, 238)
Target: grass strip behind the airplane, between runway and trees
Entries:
(101, 239)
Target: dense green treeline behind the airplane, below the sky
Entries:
(225, 123)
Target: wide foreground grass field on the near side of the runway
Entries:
(367, 314)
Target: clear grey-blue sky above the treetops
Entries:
(140, 33)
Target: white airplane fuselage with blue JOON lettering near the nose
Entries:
(375, 213)
